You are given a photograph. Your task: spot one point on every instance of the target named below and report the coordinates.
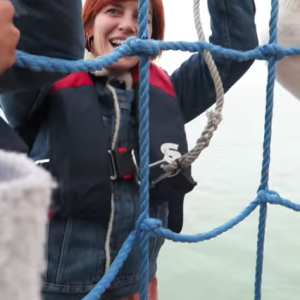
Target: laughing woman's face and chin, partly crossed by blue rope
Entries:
(114, 24)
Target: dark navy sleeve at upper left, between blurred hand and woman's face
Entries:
(48, 28)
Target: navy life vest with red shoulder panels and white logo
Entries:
(77, 135)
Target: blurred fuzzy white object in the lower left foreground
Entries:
(25, 192)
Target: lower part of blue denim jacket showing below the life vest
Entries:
(76, 257)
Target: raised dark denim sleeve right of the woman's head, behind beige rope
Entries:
(233, 26)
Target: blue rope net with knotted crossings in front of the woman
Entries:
(146, 227)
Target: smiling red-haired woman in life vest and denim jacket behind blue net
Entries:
(71, 125)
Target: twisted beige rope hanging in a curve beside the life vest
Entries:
(214, 116)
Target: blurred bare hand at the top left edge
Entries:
(9, 36)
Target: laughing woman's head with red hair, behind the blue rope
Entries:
(107, 24)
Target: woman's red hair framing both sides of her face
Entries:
(92, 7)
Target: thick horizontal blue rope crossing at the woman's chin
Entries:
(129, 47)
